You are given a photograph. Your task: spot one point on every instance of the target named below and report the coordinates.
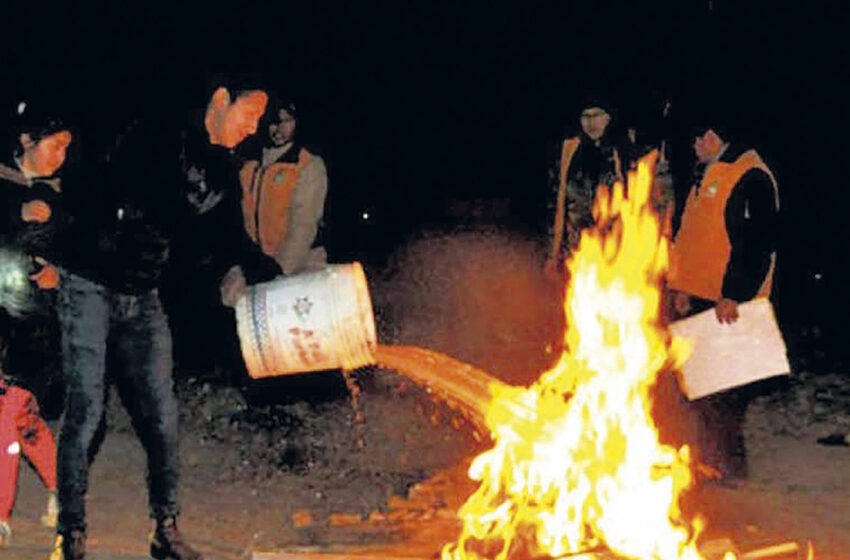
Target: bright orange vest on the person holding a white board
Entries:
(701, 250)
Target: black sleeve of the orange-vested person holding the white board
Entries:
(751, 221)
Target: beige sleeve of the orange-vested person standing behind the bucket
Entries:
(305, 213)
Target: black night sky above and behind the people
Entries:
(415, 103)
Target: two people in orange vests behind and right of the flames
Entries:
(723, 250)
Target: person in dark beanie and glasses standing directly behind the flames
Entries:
(586, 161)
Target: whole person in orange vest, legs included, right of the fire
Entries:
(724, 254)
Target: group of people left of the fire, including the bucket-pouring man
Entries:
(99, 229)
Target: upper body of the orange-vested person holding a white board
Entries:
(724, 251)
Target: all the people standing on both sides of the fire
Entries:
(100, 229)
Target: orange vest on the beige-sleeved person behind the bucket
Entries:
(266, 197)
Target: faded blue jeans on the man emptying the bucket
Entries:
(133, 331)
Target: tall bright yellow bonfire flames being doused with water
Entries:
(577, 464)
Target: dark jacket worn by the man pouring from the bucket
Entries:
(127, 207)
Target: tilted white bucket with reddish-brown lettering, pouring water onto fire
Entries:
(309, 322)
